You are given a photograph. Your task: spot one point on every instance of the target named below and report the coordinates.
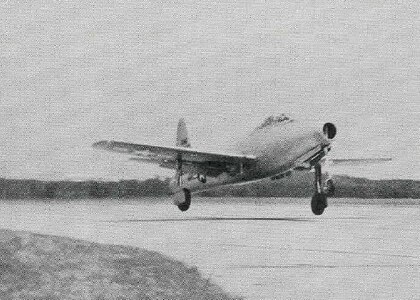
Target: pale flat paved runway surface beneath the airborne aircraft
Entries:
(255, 248)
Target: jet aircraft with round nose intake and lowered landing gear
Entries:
(273, 150)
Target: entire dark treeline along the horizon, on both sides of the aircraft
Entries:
(297, 185)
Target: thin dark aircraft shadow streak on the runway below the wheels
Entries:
(212, 219)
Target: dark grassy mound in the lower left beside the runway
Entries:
(34, 266)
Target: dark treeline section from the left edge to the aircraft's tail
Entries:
(23, 189)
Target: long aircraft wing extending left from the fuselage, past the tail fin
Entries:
(167, 157)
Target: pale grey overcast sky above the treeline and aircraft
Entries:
(74, 72)
